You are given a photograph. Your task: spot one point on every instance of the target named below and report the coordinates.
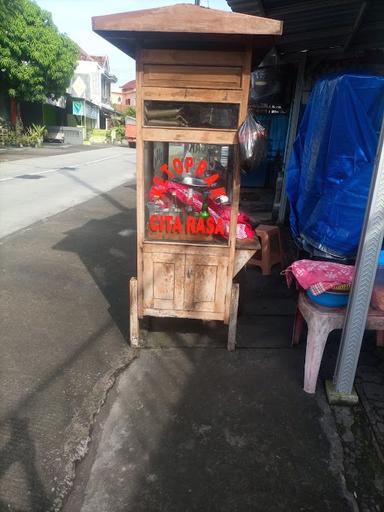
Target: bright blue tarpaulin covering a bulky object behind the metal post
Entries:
(331, 163)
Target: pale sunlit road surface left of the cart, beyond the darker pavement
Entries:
(33, 189)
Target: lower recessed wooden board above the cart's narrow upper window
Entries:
(206, 77)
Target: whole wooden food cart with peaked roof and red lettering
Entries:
(193, 77)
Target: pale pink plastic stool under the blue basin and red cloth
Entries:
(321, 321)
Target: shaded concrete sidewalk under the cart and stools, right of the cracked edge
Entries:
(191, 427)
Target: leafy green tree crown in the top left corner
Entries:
(36, 61)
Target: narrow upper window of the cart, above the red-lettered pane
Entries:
(190, 114)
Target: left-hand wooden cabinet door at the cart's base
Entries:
(163, 280)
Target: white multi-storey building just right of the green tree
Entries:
(90, 103)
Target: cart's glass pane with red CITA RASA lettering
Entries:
(188, 192)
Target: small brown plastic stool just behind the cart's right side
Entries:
(271, 248)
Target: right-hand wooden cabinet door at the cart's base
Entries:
(205, 283)
